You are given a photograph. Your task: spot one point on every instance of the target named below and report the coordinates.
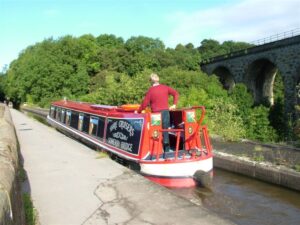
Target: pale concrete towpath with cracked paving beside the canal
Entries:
(70, 184)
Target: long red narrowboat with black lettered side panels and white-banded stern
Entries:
(137, 139)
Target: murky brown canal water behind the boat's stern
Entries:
(246, 201)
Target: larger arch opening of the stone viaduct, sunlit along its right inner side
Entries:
(260, 79)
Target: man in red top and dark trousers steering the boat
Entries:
(157, 97)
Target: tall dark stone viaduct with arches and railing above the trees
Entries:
(257, 66)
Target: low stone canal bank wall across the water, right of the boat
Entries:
(270, 163)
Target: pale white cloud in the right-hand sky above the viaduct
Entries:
(247, 20)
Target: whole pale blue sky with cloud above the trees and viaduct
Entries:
(26, 22)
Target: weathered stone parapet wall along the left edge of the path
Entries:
(11, 207)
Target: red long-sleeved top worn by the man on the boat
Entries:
(157, 97)
